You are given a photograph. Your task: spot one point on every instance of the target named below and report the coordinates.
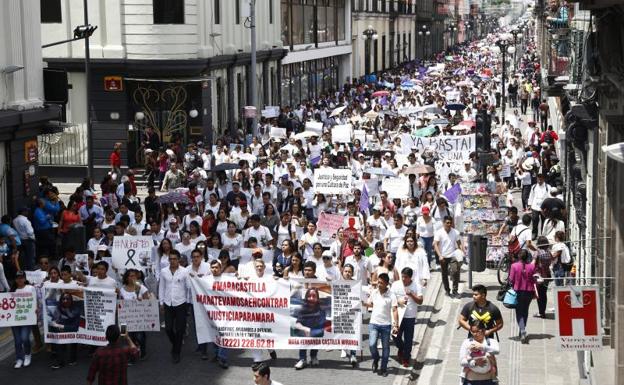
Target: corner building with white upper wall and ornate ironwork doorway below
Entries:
(180, 66)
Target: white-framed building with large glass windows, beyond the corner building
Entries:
(317, 37)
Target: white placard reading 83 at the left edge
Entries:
(18, 309)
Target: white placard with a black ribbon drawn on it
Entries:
(132, 252)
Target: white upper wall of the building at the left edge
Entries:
(20, 45)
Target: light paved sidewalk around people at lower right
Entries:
(539, 362)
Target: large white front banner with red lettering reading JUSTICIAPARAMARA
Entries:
(278, 314)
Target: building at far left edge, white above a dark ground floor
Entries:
(23, 113)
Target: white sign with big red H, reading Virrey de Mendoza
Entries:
(577, 311)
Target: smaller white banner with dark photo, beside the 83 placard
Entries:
(75, 314)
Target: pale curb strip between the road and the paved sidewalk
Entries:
(407, 375)
